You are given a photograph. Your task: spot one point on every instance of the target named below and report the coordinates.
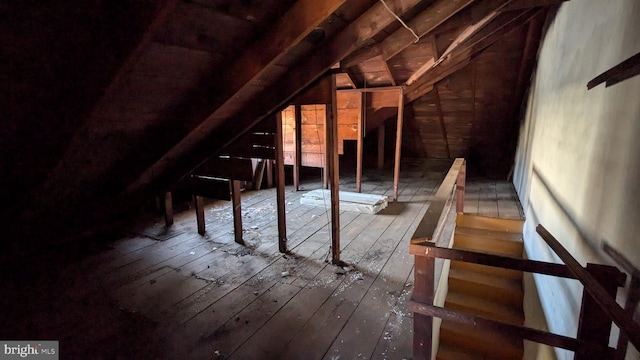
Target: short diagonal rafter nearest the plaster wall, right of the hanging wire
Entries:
(461, 57)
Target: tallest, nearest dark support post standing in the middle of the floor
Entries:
(333, 166)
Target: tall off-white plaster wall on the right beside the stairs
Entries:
(578, 161)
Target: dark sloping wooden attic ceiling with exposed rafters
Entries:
(110, 102)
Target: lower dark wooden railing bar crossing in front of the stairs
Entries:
(516, 331)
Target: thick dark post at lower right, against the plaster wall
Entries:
(594, 325)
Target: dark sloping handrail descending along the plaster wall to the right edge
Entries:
(608, 304)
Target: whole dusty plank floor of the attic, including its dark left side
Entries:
(177, 295)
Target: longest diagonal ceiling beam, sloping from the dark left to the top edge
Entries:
(216, 133)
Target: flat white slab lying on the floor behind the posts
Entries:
(349, 201)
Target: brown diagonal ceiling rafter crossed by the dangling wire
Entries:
(401, 39)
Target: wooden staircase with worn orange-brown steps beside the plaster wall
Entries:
(490, 292)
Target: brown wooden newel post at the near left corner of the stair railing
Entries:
(423, 292)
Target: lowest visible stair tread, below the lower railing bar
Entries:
(492, 343)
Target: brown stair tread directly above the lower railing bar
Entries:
(484, 307)
